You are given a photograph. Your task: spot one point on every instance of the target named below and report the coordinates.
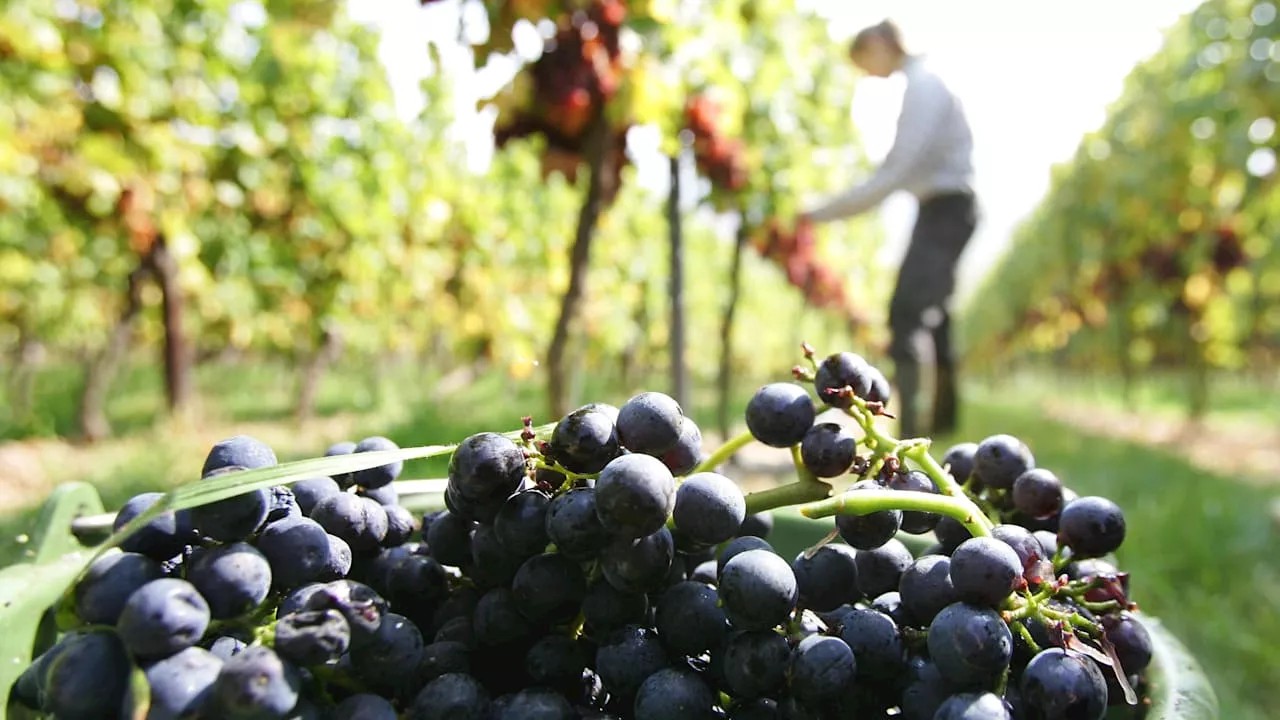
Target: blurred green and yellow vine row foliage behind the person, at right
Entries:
(1156, 244)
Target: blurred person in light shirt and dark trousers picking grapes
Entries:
(931, 160)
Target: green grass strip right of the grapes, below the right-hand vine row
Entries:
(1201, 549)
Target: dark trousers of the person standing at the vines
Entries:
(921, 303)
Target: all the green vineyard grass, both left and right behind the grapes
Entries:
(1200, 548)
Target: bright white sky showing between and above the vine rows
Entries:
(1034, 78)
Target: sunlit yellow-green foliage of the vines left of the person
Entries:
(262, 142)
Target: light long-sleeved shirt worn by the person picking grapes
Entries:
(932, 151)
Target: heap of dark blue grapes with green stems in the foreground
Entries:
(605, 568)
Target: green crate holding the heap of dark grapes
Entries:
(1177, 686)
